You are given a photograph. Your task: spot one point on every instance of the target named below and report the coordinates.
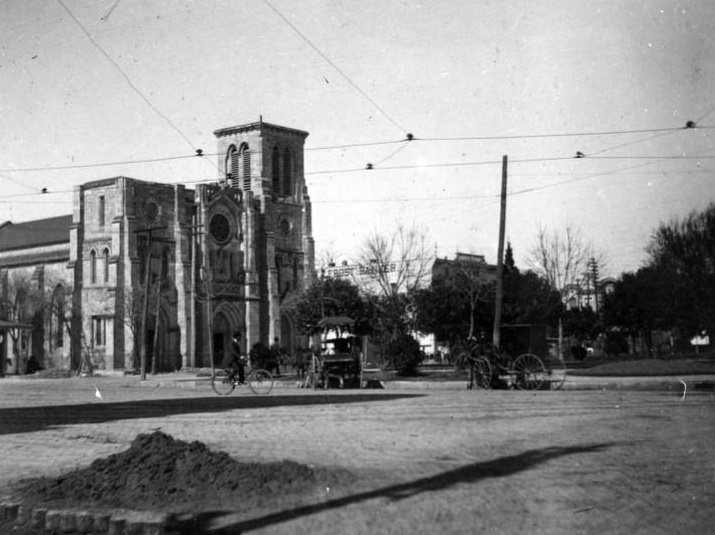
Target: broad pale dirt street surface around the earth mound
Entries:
(424, 461)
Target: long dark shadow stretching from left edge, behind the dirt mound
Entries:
(31, 419)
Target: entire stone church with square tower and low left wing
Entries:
(193, 267)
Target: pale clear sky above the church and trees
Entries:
(90, 88)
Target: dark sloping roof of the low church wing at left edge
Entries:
(49, 231)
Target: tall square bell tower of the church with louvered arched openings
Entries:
(264, 164)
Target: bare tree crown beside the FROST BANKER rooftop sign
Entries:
(395, 262)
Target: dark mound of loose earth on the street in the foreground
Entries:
(160, 472)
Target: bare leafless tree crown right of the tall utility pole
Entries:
(563, 257)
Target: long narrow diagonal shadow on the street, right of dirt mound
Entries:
(220, 522)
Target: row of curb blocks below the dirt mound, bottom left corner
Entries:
(78, 521)
